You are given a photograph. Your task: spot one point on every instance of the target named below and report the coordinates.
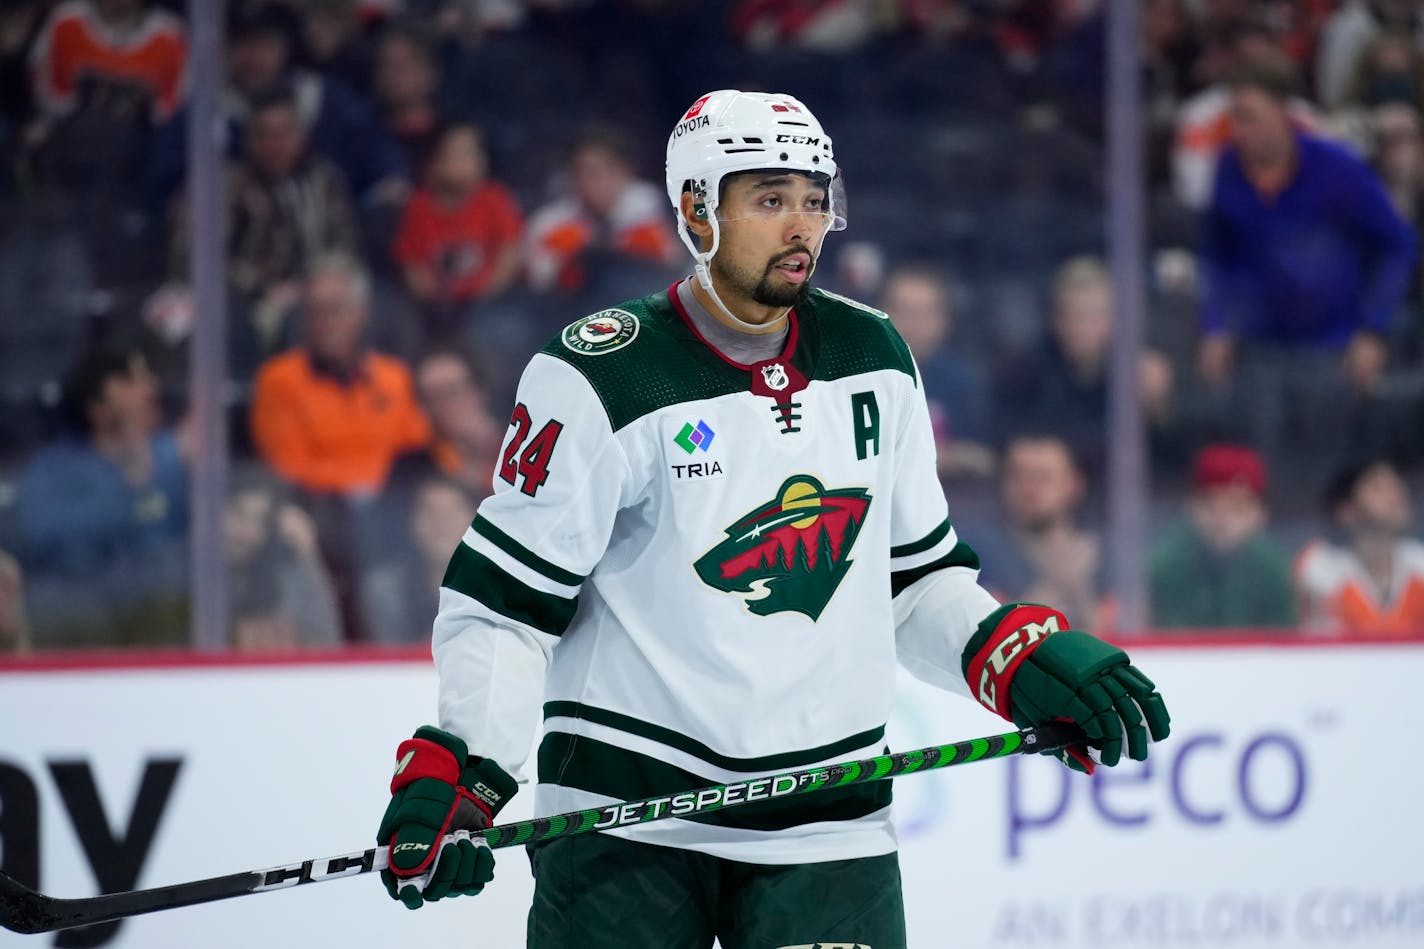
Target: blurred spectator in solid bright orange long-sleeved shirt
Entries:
(330, 415)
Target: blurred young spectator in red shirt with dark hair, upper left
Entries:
(459, 240)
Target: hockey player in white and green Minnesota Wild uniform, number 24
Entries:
(717, 528)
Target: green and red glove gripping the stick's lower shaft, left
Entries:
(439, 790)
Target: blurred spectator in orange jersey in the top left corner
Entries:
(110, 49)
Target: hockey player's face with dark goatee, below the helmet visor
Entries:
(773, 229)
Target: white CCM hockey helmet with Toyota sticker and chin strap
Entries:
(728, 132)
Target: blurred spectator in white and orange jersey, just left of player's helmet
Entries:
(607, 217)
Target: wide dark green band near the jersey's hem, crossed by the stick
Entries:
(576, 762)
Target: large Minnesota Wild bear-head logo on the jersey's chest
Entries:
(792, 552)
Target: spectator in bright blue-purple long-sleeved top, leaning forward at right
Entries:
(1307, 263)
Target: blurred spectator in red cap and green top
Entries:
(1220, 568)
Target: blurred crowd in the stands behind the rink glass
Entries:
(419, 193)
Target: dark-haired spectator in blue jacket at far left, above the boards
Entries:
(103, 518)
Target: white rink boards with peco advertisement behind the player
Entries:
(1282, 814)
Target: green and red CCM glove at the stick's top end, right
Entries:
(1027, 666)
